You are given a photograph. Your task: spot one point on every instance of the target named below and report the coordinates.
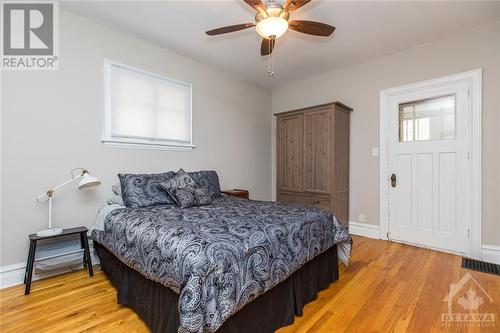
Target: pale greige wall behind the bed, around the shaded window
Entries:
(52, 122)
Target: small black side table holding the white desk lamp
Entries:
(87, 261)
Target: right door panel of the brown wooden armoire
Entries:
(317, 146)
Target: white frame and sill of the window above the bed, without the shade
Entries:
(136, 143)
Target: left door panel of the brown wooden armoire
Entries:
(290, 152)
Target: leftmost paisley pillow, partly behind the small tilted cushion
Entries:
(142, 190)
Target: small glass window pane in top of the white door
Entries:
(431, 119)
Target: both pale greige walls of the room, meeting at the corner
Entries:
(52, 122)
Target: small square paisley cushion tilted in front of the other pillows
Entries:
(184, 190)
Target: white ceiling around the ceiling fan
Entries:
(365, 30)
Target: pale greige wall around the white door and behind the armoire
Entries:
(359, 87)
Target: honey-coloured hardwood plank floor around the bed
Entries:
(388, 287)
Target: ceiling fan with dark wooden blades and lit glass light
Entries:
(273, 21)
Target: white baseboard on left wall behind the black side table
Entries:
(13, 275)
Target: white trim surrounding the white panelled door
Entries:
(474, 79)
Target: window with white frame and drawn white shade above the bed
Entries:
(146, 110)
